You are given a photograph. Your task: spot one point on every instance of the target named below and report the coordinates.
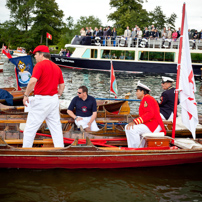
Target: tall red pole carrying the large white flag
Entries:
(178, 74)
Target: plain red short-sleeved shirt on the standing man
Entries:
(49, 76)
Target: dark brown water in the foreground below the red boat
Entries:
(171, 183)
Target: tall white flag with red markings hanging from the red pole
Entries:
(187, 86)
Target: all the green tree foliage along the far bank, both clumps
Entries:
(31, 19)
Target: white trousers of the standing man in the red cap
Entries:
(43, 108)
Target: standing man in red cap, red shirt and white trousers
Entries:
(48, 84)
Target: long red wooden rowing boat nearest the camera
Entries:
(84, 154)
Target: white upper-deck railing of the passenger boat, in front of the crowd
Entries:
(120, 41)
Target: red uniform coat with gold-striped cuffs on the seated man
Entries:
(150, 114)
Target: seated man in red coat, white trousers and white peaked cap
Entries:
(149, 119)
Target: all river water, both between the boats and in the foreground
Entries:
(170, 183)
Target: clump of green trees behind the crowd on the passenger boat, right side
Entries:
(130, 13)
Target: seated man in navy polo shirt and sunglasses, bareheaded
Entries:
(86, 110)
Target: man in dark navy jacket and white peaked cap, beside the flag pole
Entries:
(167, 99)
